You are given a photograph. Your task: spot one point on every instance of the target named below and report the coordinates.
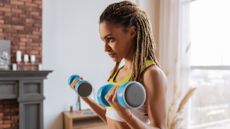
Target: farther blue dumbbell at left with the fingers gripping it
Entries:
(82, 87)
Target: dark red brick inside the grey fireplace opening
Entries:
(9, 116)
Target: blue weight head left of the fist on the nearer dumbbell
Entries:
(102, 91)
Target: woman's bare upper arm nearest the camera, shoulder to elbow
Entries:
(155, 84)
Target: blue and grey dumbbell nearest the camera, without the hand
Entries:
(129, 95)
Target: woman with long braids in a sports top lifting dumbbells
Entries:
(127, 35)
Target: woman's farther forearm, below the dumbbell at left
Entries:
(97, 108)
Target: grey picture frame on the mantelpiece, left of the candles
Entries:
(5, 54)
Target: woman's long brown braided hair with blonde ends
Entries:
(128, 14)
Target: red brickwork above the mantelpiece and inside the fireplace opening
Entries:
(21, 23)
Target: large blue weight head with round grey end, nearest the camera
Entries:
(131, 95)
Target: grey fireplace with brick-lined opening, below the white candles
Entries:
(21, 99)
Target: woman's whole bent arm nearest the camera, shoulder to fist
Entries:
(155, 84)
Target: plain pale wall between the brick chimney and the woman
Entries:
(71, 44)
